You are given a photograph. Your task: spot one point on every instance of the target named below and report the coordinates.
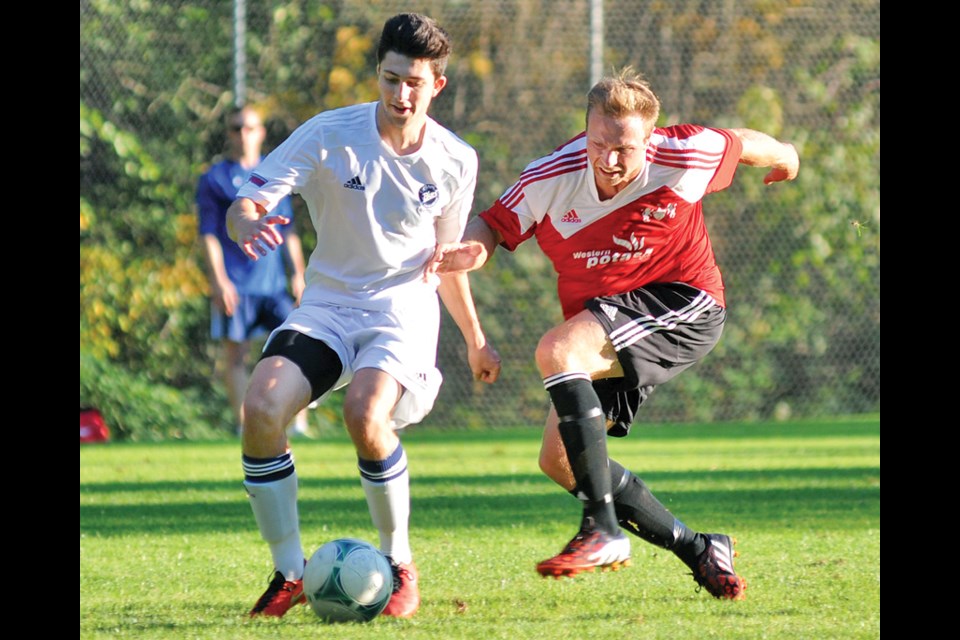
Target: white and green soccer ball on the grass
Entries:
(348, 580)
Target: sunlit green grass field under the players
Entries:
(169, 548)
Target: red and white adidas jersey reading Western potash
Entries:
(652, 231)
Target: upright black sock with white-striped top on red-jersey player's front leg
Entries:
(585, 439)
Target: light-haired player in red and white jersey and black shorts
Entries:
(618, 212)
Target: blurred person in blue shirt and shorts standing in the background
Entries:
(249, 298)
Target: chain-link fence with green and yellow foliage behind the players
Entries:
(801, 260)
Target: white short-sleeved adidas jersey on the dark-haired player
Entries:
(378, 216)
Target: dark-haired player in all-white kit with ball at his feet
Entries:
(385, 185)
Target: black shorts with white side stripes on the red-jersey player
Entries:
(658, 331)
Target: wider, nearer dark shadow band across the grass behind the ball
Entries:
(834, 498)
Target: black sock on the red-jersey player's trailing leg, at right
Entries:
(639, 512)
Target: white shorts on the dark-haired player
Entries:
(401, 343)
